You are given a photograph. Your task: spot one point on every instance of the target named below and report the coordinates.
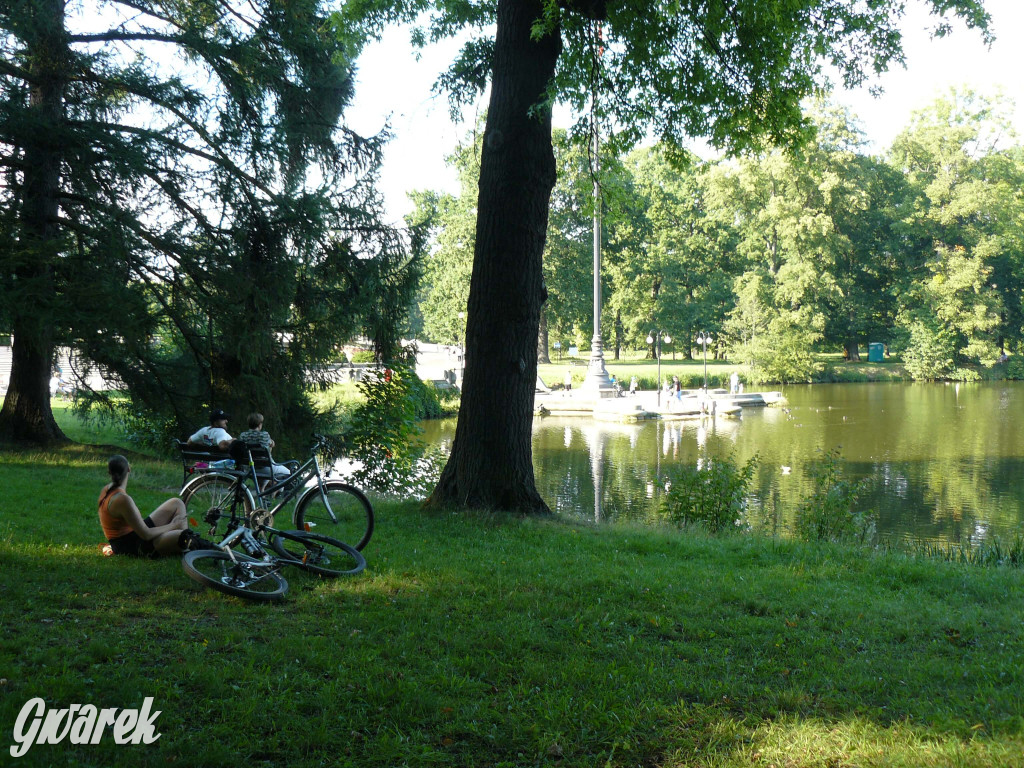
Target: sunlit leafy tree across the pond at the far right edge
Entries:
(967, 215)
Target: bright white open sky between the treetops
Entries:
(392, 84)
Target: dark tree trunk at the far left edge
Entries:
(27, 416)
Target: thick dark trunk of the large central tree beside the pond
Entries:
(492, 466)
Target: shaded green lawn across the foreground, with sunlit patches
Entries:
(480, 641)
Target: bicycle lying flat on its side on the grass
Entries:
(257, 574)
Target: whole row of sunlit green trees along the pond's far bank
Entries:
(779, 254)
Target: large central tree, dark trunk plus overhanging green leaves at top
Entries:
(735, 73)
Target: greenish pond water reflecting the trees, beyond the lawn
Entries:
(944, 462)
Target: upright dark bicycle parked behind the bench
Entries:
(337, 508)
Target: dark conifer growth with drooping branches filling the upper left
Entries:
(196, 223)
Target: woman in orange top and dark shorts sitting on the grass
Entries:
(164, 533)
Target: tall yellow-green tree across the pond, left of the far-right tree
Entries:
(818, 228)
